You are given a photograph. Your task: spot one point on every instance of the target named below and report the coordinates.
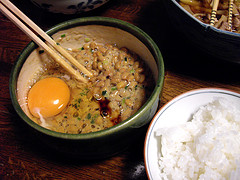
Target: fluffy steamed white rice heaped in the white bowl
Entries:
(207, 147)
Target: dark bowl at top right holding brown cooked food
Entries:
(223, 45)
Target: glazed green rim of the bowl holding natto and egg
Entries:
(142, 36)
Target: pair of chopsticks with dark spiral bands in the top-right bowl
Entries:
(214, 12)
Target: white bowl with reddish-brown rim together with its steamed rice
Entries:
(195, 136)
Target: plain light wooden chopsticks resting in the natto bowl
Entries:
(7, 8)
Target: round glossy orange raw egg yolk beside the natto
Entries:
(48, 97)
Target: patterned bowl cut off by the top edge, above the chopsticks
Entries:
(69, 6)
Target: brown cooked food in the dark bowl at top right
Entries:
(202, 9)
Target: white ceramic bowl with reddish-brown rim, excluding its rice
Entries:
(178, 111)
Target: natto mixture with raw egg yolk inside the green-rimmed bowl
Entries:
(121, 84)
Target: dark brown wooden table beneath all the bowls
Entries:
(186, 68)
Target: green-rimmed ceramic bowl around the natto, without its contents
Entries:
(112, 140)
